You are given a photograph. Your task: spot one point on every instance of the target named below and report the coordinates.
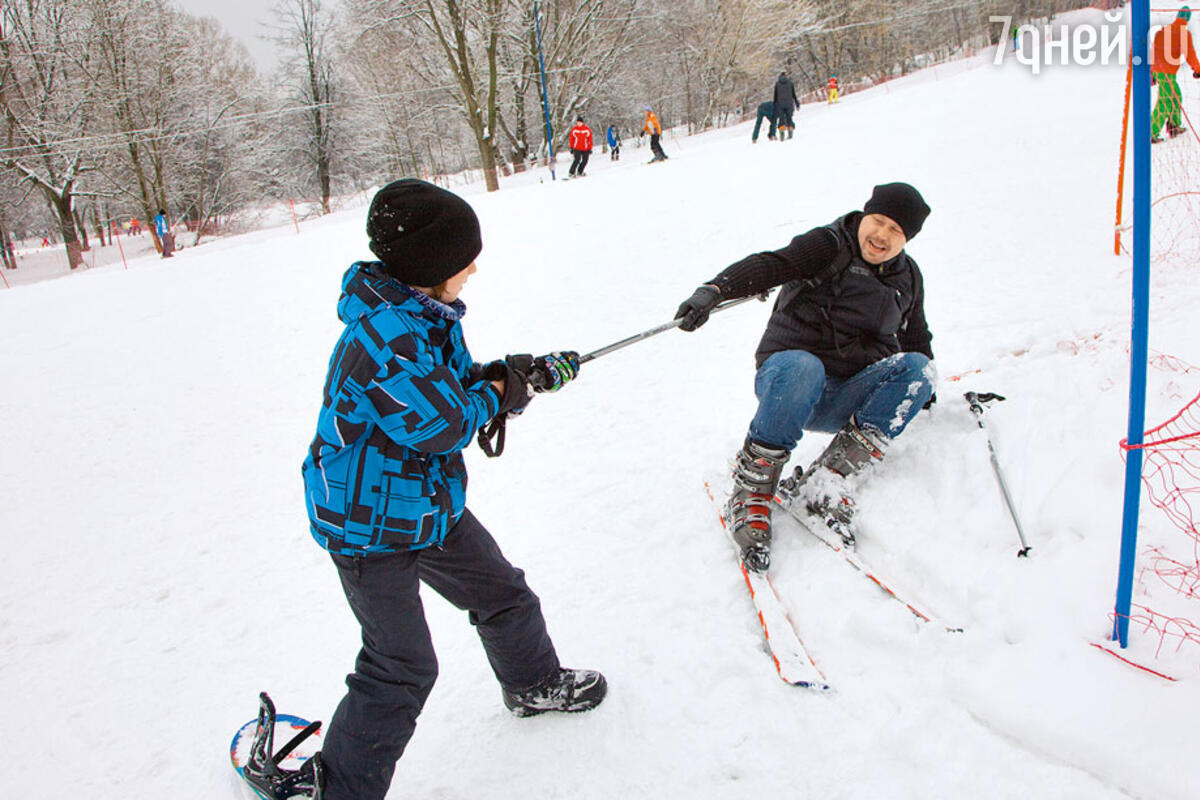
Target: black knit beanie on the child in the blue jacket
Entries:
(423, 233)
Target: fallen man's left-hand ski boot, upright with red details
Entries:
(748, 512)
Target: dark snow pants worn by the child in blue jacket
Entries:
(397, 667)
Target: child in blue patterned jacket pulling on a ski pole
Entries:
(386, 489)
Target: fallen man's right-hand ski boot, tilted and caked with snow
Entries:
(824, 486)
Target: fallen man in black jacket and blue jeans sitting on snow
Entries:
(847, 351)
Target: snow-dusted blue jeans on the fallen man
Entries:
(796, 395)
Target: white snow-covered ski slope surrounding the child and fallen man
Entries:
(159, 572)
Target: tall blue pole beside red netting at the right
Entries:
(1139, 340)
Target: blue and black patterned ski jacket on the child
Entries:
(403, 400)
